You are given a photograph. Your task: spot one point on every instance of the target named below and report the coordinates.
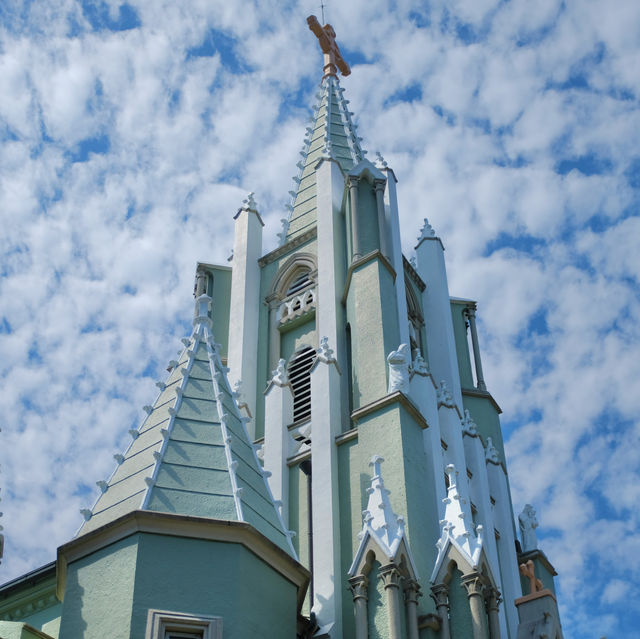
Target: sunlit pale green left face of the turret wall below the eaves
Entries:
(99, 593)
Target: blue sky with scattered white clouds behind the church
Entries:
(132, 131)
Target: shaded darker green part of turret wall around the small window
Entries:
(214, 578)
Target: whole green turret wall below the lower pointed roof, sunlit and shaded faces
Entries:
(110, 592)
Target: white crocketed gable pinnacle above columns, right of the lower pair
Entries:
(457, 528)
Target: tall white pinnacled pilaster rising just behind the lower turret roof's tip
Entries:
(245, 303)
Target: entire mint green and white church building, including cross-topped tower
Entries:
(324, 458)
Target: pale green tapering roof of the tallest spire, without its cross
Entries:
(331, 133)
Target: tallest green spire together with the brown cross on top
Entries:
(331, 134)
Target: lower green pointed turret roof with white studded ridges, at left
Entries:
(192, 454)
